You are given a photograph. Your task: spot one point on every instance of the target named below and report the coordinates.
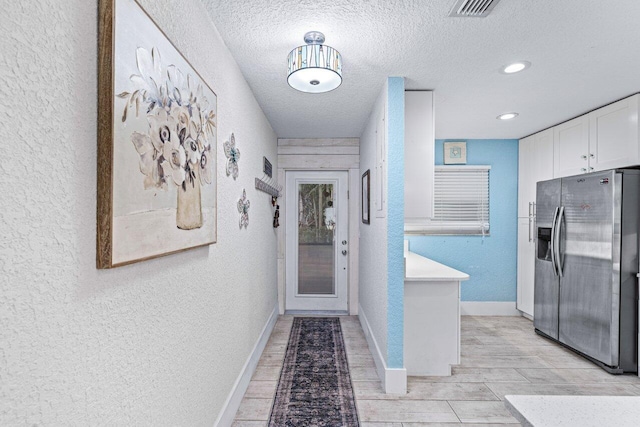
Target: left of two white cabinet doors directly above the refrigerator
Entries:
(571, 147)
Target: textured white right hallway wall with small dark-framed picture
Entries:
(373, 238)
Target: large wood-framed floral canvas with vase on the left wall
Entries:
(157, 133)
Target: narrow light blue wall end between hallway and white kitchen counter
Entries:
(395, 222)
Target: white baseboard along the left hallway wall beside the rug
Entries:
(230, 407)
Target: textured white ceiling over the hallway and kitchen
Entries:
(585, 53)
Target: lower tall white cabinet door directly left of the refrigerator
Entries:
(526, 264)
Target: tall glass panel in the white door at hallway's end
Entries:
(316, 246)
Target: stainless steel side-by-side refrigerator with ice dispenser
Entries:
(586, 285)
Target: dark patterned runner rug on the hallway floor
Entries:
(315, 387)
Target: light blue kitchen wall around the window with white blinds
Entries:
(489, 261)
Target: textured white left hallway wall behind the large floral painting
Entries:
(155, 343)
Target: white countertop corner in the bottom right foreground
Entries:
(579, 411)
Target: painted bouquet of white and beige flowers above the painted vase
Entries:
(181, 123)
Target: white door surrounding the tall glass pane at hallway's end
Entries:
(339, 301)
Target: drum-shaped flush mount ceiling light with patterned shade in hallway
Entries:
(314, 68)
